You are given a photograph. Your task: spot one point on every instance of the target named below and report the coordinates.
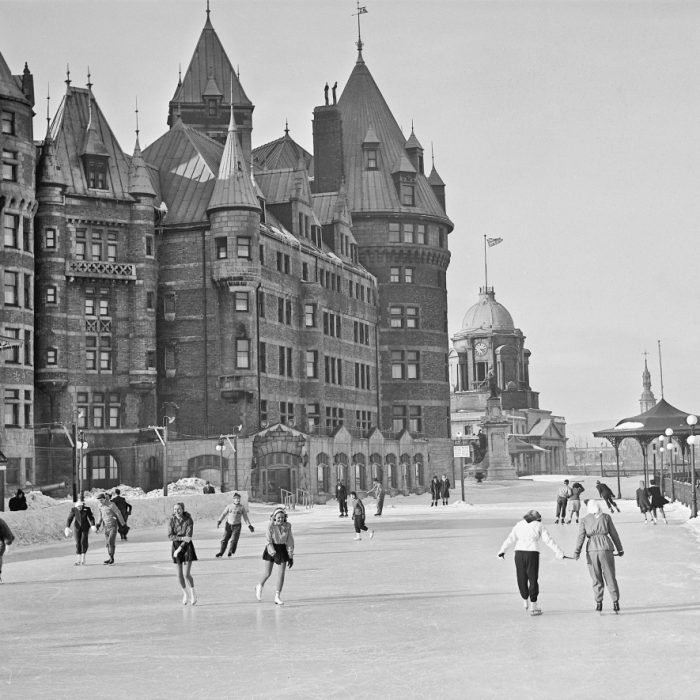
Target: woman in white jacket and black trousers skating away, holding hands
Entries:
(525, 537)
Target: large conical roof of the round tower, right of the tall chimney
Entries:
(362, 106)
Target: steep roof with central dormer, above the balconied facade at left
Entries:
(69, 132)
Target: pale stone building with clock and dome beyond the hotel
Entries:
(489, 357)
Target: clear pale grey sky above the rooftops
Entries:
(569, 129)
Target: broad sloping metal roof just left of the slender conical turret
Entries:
(187, 163)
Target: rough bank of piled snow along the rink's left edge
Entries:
(45, 525)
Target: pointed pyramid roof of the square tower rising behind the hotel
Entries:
(210, 61)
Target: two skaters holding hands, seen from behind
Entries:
(596, 530)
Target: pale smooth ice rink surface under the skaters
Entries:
(423, 610)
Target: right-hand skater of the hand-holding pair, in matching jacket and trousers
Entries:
(602, 538)
